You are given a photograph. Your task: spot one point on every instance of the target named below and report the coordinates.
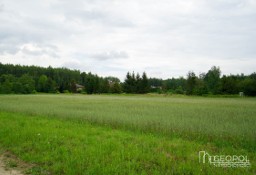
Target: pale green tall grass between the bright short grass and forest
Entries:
(220, 120)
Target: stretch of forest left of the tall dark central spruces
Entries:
(31, 79)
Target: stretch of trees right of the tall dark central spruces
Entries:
(207, 83)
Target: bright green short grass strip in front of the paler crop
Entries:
(69, 147)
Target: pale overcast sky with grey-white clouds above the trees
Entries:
(165, 38)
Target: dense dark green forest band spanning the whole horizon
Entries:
(32, 79)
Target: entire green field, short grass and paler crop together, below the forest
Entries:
(135, 134)
